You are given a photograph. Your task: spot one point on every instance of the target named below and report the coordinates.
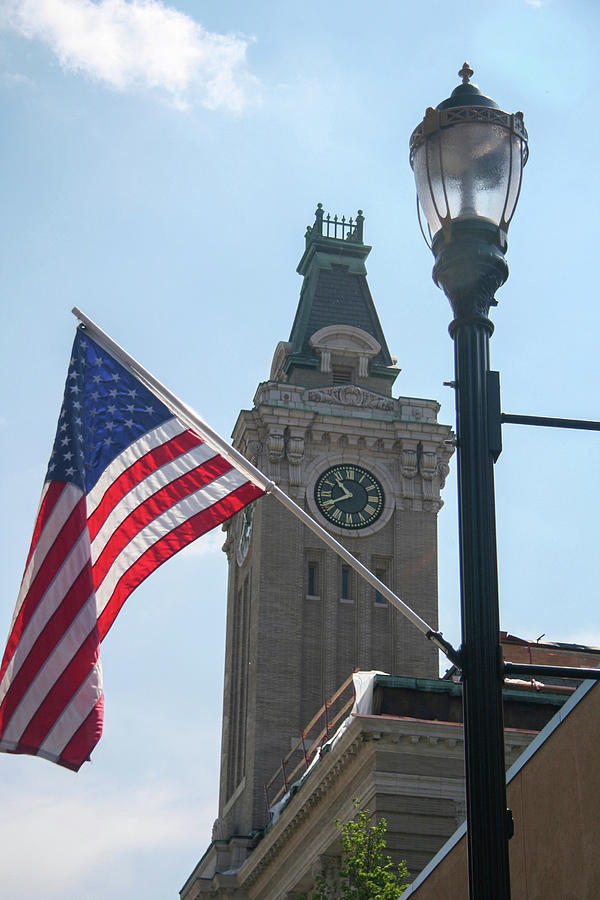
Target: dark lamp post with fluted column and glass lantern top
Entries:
(468, 157)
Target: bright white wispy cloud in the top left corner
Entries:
(140, 44)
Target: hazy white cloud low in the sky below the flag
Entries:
(75, 831)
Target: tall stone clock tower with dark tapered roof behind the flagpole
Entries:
(369, 467)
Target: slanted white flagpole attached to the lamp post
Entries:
(191, 418)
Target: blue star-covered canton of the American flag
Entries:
(104, 410)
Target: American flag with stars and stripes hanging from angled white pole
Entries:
(128, 485)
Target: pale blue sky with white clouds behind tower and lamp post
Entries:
(160, 162)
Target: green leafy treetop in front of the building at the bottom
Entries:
(365, 873)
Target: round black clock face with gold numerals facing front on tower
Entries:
(349, 496)
